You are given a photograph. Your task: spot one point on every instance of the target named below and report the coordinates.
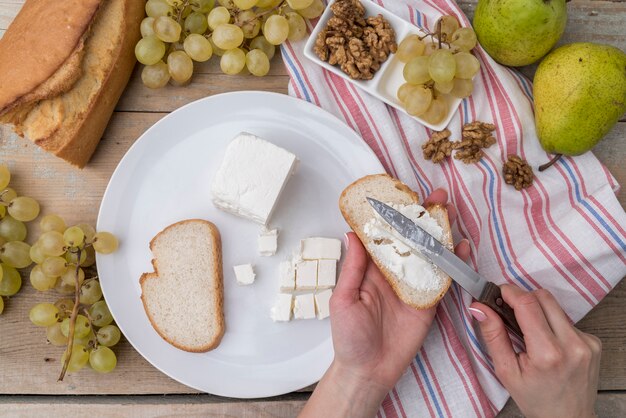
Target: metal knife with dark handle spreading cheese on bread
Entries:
(482, 290)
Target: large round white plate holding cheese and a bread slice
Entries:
(165, 177)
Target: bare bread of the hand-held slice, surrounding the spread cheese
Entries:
(357, 212)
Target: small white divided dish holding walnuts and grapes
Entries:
(389, 77)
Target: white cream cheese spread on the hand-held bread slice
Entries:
(398, 257)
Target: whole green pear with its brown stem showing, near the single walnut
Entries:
(580, 93)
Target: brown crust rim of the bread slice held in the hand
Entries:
(389, 276)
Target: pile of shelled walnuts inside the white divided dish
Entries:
(357, 44)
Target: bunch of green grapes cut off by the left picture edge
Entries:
(15, 212)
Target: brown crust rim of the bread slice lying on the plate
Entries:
(219, 300)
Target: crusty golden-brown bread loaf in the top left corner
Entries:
(63, 66)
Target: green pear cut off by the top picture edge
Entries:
(519, 32)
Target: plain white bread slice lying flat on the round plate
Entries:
(184, 296)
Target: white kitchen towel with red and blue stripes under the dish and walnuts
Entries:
(566, 233)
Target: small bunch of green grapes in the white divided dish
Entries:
(437, 65)
